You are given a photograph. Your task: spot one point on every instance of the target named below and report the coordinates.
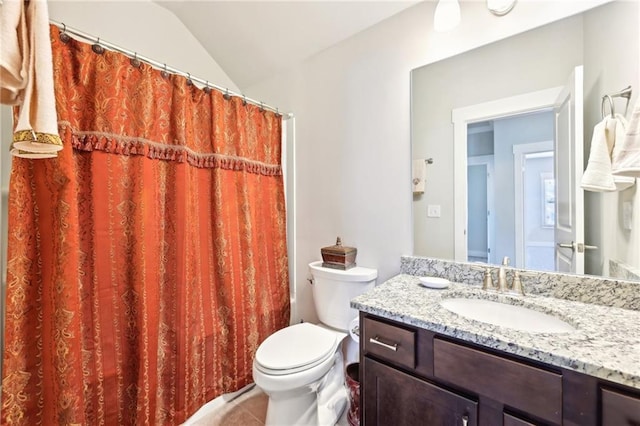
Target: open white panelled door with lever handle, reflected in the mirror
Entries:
(569, 227)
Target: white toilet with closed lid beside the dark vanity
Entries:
(301, 367)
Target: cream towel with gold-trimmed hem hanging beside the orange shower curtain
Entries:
(36, 130)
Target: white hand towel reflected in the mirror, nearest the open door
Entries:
(597, 177)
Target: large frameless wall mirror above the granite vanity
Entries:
(510, 196)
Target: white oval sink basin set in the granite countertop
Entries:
(510, 316)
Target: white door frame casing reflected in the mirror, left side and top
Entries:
(461, 117)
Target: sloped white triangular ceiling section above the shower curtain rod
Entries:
(253, 40)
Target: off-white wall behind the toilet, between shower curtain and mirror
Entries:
(353, 128)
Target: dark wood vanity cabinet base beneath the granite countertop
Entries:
(411, 376)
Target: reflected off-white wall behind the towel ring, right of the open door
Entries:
(609, 69)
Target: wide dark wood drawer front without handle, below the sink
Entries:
(531, 389)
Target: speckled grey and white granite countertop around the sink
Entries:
(606, 344)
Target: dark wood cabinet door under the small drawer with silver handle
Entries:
(391, 397)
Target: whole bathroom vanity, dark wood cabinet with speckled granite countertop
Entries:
(424, 364)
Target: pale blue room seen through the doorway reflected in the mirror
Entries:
(509, 163)
